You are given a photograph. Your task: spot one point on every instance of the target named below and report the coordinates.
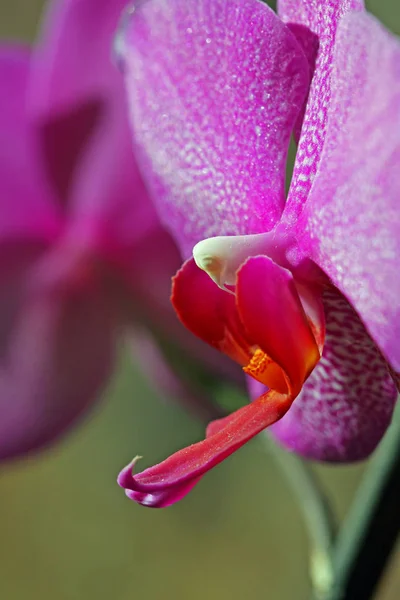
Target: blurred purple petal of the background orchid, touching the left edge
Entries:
(27, 209)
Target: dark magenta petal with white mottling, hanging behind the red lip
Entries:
(346, 404)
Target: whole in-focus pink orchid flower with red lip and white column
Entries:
(303, 292)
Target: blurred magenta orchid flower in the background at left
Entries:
(80, 242)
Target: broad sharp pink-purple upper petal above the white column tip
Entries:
(214, 89)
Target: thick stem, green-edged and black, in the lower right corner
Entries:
(370, 531)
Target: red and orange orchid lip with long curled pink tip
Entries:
(265, 328)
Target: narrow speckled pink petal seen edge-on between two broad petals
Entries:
(322, 18)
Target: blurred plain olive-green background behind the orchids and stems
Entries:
(67, 532)
